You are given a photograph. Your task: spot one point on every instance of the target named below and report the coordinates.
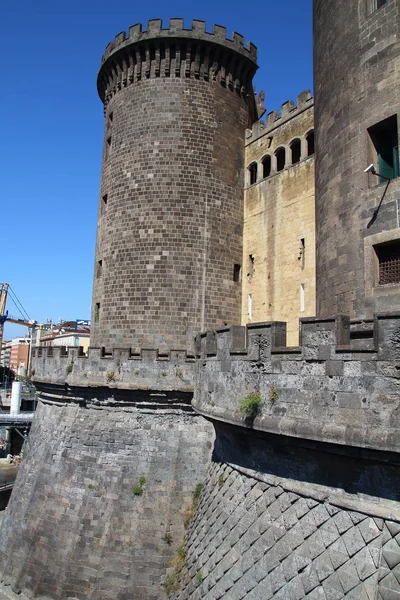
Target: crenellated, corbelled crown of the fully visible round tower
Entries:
(176, 51)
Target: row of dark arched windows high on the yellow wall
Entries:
(278, 161)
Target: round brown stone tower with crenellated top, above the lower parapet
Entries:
(177, 103)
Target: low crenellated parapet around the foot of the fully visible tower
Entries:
(119, 368)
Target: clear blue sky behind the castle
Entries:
(52, 126)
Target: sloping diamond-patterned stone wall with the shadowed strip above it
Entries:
(259, 534)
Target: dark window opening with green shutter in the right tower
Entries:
(385, 148)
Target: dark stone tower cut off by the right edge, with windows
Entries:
(357, 106)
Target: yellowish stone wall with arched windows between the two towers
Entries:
(279, 221)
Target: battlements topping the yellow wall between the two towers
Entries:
(274, 119)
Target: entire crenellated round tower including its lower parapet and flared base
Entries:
(116, 449)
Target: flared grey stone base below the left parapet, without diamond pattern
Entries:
(74, 527)
